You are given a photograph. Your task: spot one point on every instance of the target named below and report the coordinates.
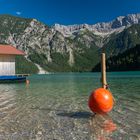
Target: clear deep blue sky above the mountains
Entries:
(68, 12)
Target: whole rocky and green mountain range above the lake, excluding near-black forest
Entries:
(72, 47)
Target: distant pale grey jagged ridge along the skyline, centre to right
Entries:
(103, 28)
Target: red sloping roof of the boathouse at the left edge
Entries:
(8, 49)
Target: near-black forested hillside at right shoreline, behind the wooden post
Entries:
(126, 61)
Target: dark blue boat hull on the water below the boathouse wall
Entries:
(12, 79)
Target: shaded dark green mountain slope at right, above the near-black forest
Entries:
(123, 41)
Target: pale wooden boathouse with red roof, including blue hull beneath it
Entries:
(7, 65)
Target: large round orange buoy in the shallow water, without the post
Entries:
(101, 101)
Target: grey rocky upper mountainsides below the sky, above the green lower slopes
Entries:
(32, 36)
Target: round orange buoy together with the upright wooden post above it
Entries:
(101, 100)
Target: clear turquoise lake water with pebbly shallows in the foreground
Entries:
(54, 107)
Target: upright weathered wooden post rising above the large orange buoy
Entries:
(103, 70)
